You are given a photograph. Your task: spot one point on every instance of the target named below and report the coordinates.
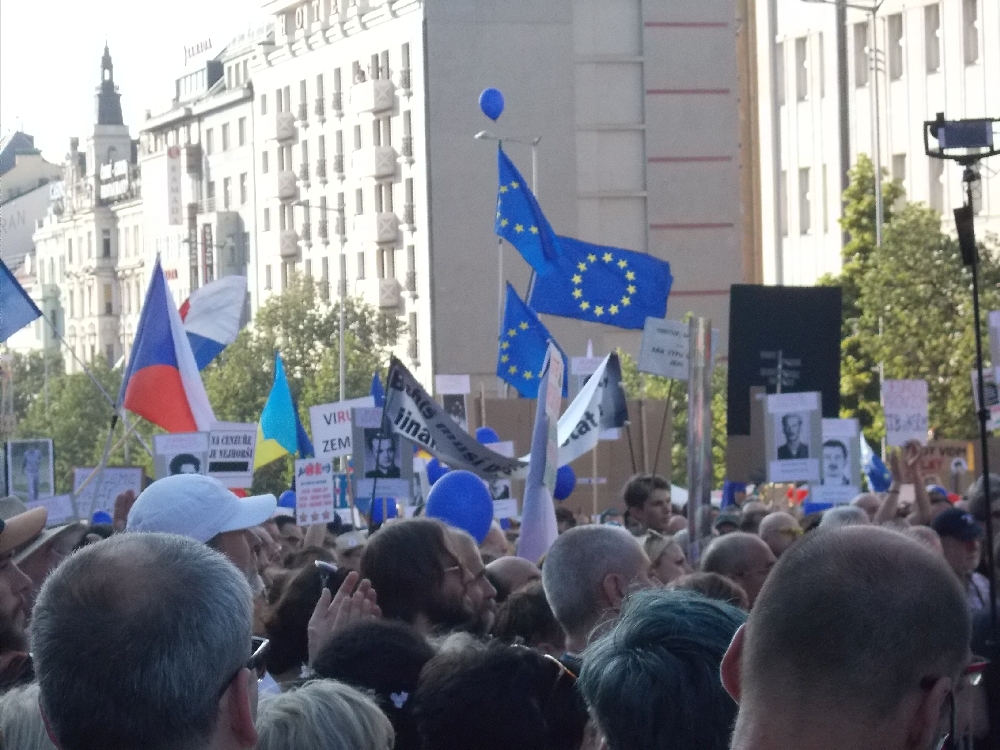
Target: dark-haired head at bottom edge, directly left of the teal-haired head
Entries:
(499, 698)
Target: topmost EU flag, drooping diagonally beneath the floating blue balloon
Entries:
(520, 220)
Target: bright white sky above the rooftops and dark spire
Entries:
(50, 59)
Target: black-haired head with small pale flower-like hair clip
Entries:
(386, 658)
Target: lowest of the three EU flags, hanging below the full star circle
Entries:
(523, 343)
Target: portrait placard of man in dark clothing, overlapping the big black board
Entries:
(793, 437)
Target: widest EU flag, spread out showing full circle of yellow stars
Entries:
(603, 284)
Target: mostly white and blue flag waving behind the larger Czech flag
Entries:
(212, 315)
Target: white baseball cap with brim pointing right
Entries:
(196, 506)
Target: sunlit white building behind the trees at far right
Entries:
(941, 56)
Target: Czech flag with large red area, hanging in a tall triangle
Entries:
(161, 381)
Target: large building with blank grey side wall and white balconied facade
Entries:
(365, 112)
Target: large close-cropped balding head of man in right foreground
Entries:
(881, 673)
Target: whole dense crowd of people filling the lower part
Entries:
(199, 620)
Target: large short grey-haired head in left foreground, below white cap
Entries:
(142, 641)
